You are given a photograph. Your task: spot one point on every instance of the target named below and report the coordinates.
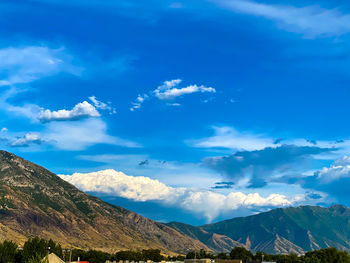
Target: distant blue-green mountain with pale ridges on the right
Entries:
(280, 230)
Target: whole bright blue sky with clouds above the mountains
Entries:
(194, 111)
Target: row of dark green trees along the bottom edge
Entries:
(35, 249)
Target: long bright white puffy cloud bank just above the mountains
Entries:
(202, 202)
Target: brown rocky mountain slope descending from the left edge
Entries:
(36, 202)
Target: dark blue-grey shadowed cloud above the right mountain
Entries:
(257, 167)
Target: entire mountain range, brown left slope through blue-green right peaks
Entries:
(36, 202)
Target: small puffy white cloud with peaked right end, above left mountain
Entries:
(81, 110)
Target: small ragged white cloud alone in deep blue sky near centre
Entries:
(170, 90)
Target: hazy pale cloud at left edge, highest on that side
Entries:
(26, 64)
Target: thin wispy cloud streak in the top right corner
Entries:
(311, 21)
